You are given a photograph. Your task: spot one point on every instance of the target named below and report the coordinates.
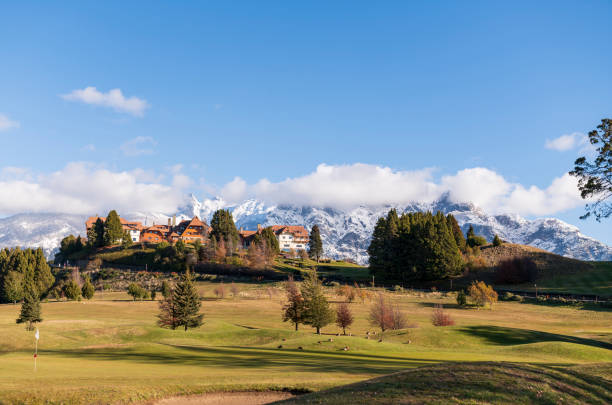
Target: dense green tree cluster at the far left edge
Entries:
(24, 272)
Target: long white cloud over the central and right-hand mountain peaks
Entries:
(348, 186)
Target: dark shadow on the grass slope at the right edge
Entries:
(513, 336)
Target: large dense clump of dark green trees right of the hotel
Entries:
(415, 246)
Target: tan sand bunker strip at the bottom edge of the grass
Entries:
(227, 398)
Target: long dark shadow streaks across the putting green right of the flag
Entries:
(252, 358)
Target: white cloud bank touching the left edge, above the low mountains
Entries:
(82, 188)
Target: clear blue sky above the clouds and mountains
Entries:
(272, 90)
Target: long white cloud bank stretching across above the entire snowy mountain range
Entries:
(84, 188)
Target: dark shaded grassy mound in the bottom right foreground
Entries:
(474, 383)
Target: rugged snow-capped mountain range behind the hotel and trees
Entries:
(345, 233)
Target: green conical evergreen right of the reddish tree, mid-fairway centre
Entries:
(318, 312)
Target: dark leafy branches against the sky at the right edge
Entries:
(595, 178)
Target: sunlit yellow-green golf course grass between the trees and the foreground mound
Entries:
(109, 349)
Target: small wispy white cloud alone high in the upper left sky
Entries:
(113, 99)
